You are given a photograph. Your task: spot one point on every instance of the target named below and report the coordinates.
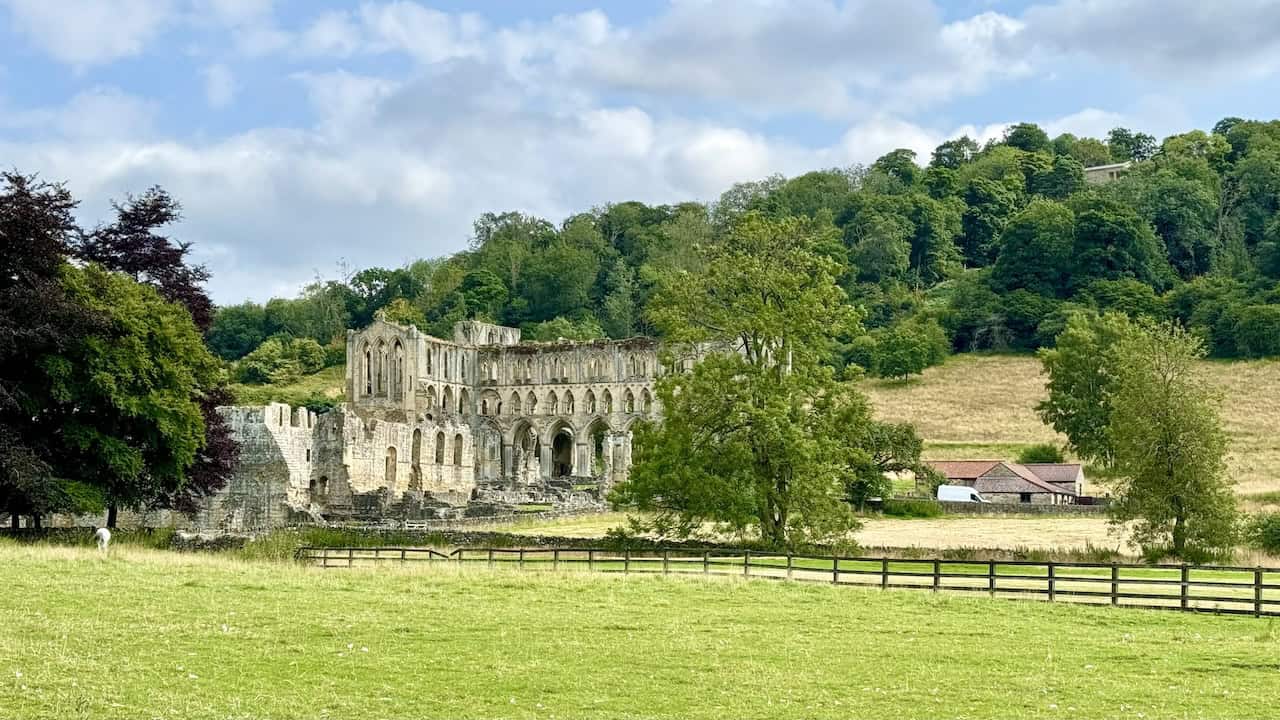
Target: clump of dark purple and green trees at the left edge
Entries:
(108, 391)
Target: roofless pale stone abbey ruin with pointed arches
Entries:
(436, 429)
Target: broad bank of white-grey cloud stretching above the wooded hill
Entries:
(547, 117)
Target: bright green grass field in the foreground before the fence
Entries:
(156, 635)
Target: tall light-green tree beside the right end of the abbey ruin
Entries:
(760, 435)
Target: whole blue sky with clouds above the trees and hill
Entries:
(309, 138)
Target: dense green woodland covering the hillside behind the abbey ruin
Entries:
(980, 248)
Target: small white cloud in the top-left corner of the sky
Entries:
(89, 33)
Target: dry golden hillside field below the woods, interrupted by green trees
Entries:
(985, 407)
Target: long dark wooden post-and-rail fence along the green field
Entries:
(1194, 589)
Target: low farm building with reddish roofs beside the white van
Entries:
(1043, 484)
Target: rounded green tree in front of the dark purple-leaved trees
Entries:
(125, 403)
